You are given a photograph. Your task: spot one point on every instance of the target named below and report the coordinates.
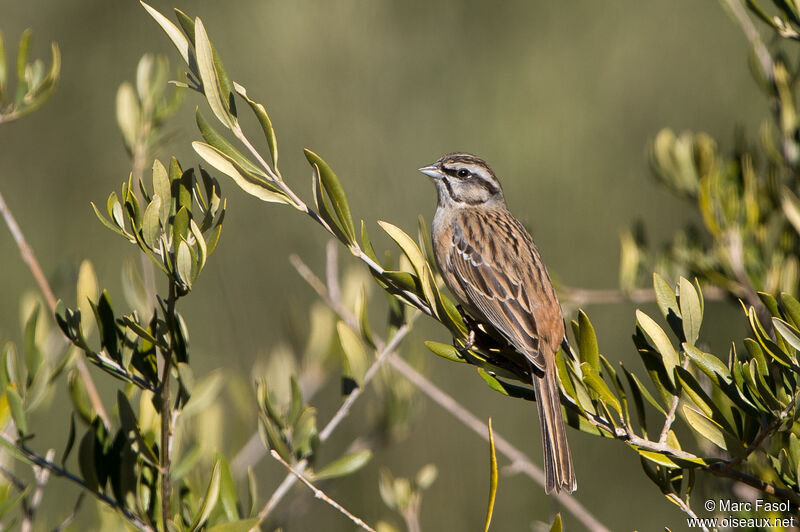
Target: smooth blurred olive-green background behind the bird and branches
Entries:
(560, 98)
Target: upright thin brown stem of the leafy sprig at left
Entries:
(166, 418)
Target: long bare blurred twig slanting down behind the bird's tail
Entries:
(519, 461)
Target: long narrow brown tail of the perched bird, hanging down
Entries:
(559, 471)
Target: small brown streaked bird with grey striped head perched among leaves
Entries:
(489, 261)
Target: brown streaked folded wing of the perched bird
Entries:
(496, 274)
